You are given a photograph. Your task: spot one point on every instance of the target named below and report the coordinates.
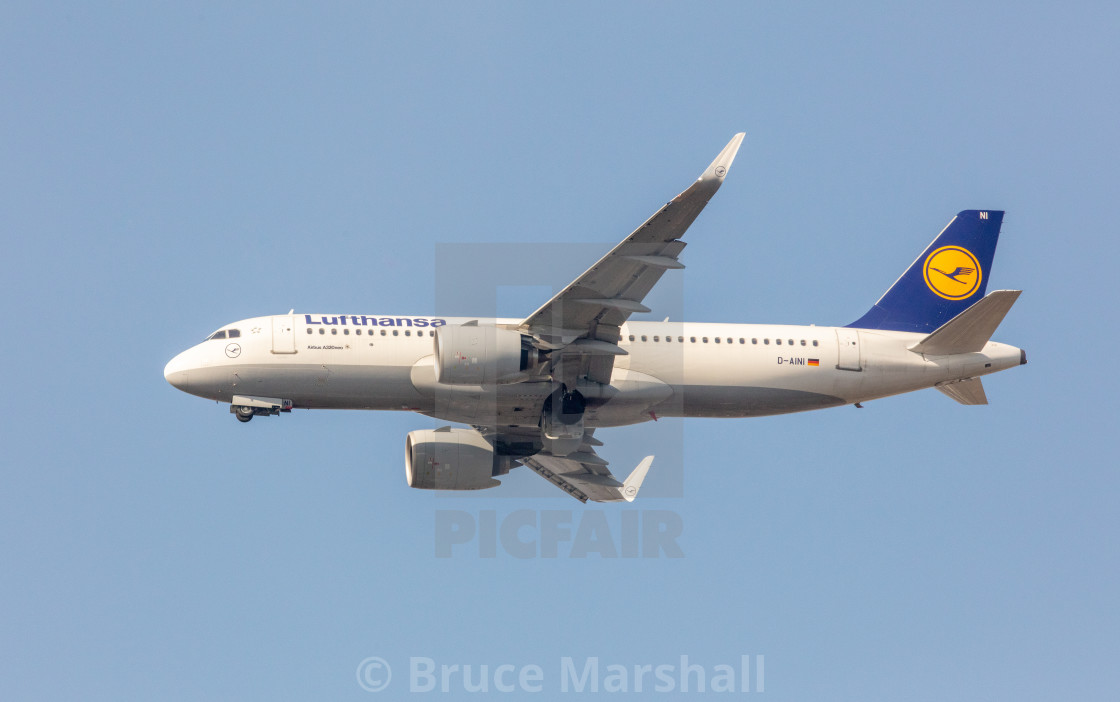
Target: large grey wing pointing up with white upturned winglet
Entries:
(595, 306)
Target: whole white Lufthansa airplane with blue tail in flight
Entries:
(535, 391)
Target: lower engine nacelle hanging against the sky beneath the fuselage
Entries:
(452, 460)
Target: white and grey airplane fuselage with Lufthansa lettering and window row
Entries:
(670, 370)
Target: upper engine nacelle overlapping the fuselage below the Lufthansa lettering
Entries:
(483, 355)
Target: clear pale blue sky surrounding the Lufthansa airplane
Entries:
(170, 169)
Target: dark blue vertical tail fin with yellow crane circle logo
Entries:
(947, 279)
